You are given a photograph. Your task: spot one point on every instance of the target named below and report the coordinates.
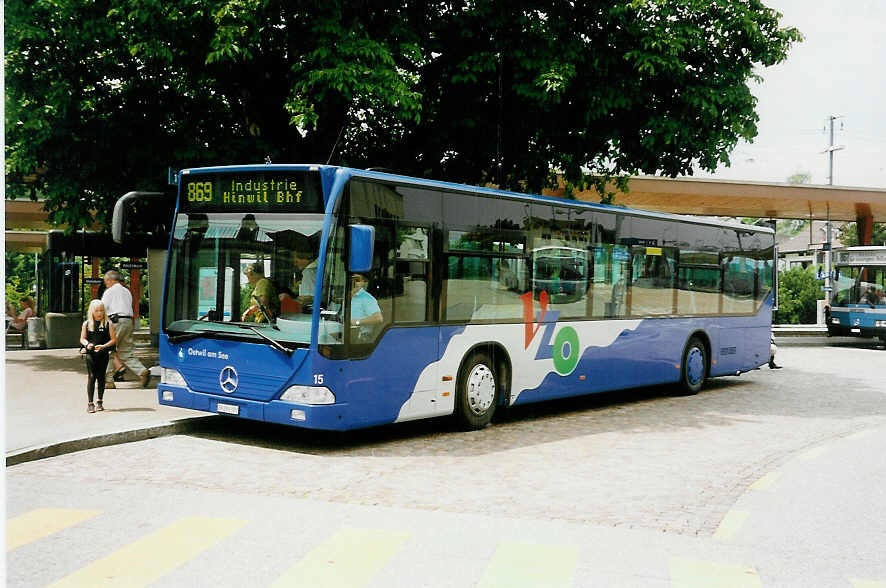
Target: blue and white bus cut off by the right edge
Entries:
(858, 308)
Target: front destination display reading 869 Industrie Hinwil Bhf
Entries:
(293, 191)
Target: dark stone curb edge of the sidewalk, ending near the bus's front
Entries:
(176, 427)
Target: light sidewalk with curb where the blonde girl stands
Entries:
(46, 407)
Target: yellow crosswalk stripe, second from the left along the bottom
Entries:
(153, 556)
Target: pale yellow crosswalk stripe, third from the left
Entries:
(351, 557)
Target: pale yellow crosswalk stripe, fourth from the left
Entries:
(525, 564)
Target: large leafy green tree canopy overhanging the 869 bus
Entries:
(104, 95)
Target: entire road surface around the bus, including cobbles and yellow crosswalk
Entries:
(773, 478)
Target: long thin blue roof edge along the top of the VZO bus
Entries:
(468, 189)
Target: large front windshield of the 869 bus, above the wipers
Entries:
(230, 269)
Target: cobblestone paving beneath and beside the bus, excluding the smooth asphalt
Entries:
(634, 459)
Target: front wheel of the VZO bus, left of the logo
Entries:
(476, 392)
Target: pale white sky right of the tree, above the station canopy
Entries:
(840, 70)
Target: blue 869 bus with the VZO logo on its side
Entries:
(387, 298)
